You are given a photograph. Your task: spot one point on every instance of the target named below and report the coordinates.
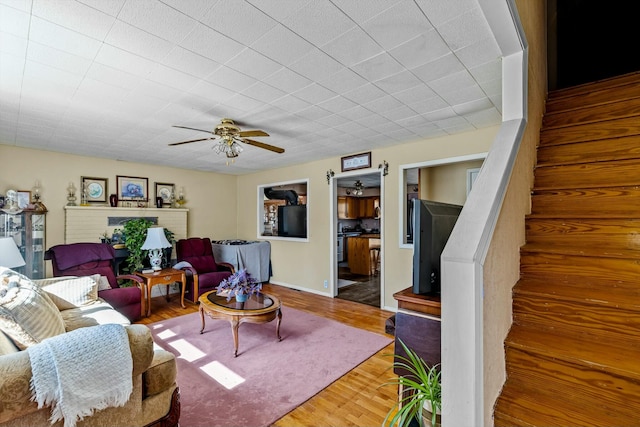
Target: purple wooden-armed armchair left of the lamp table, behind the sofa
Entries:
(85, 259)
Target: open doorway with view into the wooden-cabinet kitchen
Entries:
(358, 236)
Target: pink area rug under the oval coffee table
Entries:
(268, 378)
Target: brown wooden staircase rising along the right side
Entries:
(573, 351)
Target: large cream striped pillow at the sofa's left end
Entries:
(27, 314)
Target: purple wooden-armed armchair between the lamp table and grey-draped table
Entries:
(205, 274)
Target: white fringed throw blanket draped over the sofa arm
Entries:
(82, 371)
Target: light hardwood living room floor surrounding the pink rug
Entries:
(356, 399)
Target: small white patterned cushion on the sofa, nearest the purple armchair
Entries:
(70, 292)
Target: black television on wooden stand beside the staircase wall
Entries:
(432, 226)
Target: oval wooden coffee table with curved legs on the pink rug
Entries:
(259, 308)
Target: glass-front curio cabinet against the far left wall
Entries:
(28, 231)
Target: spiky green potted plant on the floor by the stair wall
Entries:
(422, 388)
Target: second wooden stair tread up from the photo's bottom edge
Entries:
(601, 355)
